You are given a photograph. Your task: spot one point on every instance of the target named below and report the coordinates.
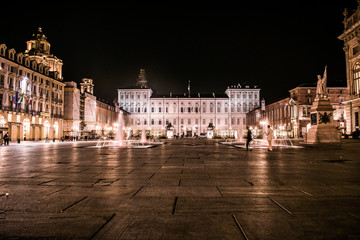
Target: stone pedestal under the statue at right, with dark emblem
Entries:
(322, 127)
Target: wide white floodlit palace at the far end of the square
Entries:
(187, 115)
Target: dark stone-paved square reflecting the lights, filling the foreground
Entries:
(184, 189)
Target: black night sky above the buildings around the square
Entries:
(274, 46)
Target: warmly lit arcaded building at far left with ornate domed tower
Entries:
(31, 91)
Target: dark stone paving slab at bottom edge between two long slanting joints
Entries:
(170, 227)
